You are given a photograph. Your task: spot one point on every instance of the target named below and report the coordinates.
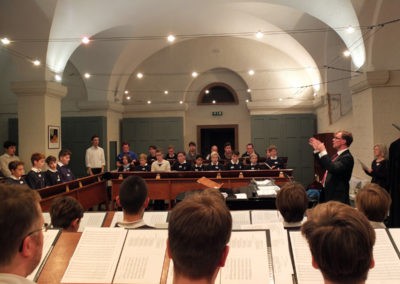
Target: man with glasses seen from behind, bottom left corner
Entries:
(21, 236)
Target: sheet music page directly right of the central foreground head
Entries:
(247, 260)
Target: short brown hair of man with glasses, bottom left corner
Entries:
(18, 213)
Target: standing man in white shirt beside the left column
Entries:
(95, 160)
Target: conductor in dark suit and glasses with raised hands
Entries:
(338, 168)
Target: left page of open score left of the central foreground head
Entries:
(96, 256)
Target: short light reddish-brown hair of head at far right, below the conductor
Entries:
(374, 202)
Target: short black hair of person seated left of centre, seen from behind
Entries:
(132, 194)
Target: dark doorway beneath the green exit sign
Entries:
(209, 135)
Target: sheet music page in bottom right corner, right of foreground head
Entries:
(387, 263)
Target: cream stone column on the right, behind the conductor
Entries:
(376, 102)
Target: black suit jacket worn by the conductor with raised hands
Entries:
(339, 174)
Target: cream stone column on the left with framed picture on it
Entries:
(39, 106)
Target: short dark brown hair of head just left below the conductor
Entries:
(292, 202)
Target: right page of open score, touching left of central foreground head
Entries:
(142, 257)
